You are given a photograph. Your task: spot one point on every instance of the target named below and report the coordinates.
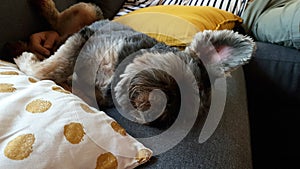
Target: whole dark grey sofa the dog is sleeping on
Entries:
(231, 145)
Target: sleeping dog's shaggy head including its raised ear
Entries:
(154, 86)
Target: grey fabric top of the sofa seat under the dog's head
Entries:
(228, 147)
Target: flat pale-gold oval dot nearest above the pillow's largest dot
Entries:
(38, 106)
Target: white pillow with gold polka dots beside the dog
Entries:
(44, 126)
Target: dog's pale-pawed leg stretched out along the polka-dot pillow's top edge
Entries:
(60, 65)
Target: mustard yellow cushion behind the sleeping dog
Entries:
(176, 25)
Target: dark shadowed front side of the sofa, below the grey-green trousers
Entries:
(273, 89)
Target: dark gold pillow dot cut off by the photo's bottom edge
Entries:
(107, 161)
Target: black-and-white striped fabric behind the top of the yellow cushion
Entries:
(236, 7)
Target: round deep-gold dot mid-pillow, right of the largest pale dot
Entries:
(74, 132)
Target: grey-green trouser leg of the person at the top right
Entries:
(274, 21)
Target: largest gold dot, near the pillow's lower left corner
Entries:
(20, 147)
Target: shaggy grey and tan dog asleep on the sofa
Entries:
(145, 78)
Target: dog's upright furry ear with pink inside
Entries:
(221, 51)
